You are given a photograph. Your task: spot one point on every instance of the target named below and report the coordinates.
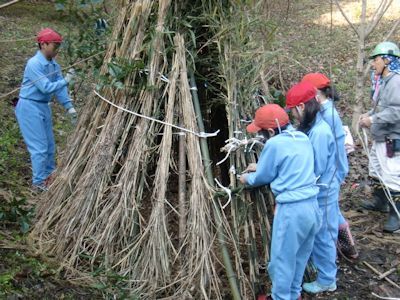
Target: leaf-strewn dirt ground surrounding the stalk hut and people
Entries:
(307, 46)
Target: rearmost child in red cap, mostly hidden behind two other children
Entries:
(325, 95)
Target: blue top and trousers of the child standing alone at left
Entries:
(42, 80)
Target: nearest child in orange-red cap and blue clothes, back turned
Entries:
(286, 163)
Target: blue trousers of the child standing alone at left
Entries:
(35, 122)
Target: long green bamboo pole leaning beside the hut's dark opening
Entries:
(207, 164)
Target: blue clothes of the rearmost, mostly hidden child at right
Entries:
(331, 116)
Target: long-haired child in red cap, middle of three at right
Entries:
(301, 100)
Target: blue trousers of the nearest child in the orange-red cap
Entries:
(294, 228)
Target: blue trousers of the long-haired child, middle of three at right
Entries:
(324, 251)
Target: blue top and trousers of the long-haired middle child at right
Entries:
(324, 251)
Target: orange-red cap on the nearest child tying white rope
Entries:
(268, 116)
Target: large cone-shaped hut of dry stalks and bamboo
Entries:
(111, 205)
